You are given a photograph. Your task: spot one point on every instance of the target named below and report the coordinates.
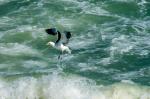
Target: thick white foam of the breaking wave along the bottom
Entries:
(59, 87)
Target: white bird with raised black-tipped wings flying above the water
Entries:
(61, 42)
